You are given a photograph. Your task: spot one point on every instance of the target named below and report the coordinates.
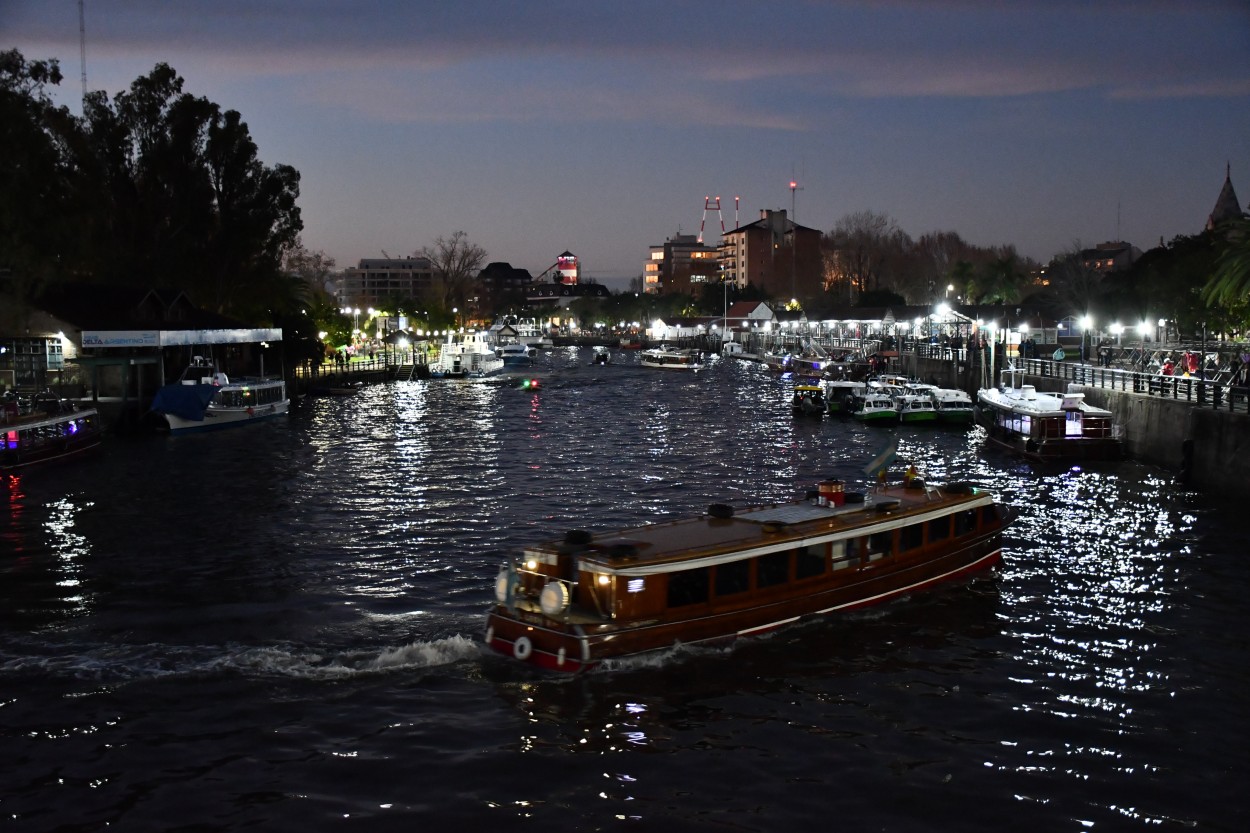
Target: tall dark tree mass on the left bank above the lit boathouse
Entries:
(153, 188)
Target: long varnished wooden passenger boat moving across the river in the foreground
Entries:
(569, 606)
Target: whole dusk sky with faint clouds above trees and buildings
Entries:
(601, 128)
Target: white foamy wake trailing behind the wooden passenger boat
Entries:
(123, 664)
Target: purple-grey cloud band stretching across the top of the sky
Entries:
(727, 64)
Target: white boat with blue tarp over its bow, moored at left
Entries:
(207, 400)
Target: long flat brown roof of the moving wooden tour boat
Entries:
(757, 531)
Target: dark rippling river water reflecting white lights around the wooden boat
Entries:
(281, 630)
